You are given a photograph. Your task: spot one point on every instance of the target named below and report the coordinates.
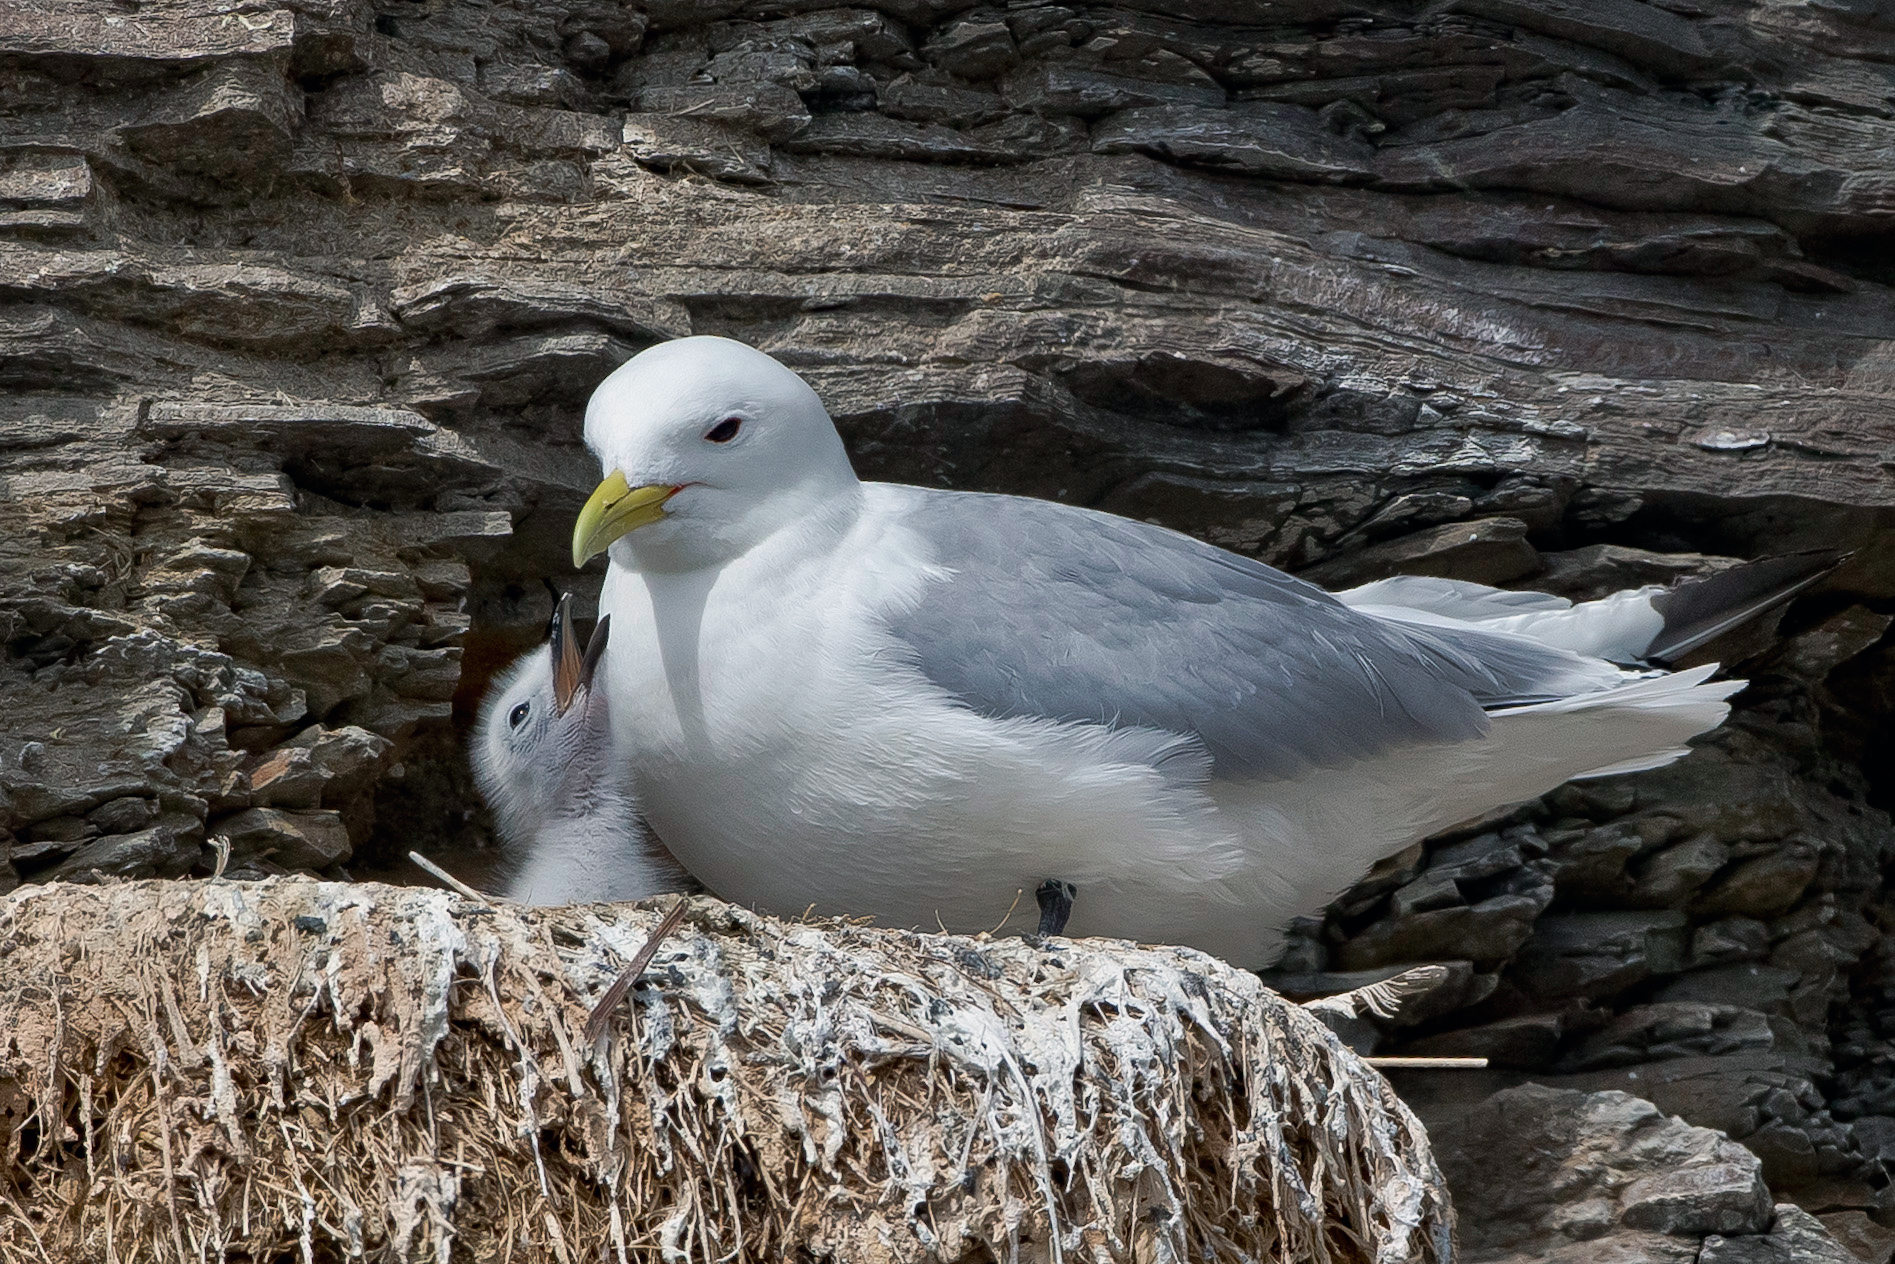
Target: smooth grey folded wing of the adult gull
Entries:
(1058, 613)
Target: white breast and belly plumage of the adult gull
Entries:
(791, 757)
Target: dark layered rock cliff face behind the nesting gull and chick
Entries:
(304, 300)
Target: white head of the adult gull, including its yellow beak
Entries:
(708, 448)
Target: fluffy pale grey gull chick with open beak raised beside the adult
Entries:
(566, 806)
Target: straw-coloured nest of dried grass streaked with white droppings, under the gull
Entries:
(321, 1072)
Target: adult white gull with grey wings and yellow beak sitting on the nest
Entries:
(918, 704)
